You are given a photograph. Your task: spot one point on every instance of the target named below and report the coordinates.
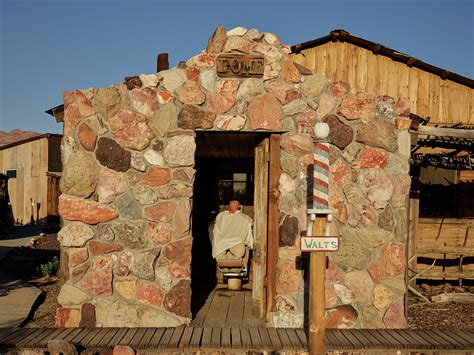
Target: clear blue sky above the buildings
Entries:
(50, 46)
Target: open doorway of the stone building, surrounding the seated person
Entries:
(227, 164)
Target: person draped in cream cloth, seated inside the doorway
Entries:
(232, 233)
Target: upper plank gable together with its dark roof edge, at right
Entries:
(446, 97)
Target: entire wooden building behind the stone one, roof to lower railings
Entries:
(441, 245)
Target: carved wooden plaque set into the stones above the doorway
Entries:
(241, 66)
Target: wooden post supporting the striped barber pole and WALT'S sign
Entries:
(317, 265)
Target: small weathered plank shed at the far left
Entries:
(34, 168)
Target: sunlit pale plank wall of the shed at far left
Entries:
(31, 162)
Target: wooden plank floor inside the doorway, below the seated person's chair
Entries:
(225, 308)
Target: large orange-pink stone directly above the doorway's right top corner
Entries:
(265, 112)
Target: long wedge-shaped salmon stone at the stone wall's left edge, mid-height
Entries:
(76, 209)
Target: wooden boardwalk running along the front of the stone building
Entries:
(192, 338)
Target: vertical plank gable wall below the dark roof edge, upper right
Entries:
(445, 101)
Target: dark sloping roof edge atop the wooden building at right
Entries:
(340, 35)
